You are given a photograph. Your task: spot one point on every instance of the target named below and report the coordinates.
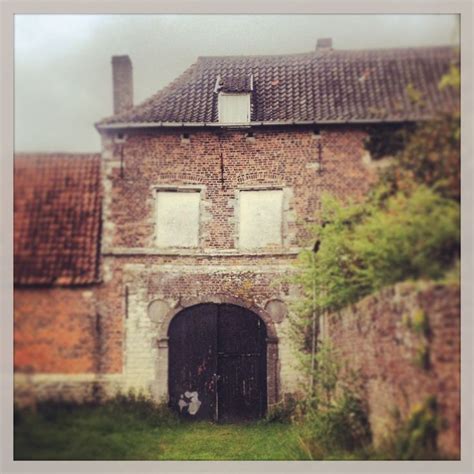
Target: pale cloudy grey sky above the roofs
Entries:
(63, 75)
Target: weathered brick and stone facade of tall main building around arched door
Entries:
(220, 162)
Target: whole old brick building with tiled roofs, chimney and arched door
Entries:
(204, 193)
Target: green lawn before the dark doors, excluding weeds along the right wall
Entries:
(106, 433)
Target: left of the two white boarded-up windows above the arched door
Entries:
(177, 219)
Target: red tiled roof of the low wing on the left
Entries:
(57, 219)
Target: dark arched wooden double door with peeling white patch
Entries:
(217, 363)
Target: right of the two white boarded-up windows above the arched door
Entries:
(260, 218)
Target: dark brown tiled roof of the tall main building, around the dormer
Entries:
(322, 86)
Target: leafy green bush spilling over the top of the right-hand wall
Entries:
(364, 247)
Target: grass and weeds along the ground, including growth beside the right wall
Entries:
(133, 428)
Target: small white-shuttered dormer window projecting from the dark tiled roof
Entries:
(234, 99)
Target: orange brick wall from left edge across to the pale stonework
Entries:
(63, 330)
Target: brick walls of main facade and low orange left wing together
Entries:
(113, 333)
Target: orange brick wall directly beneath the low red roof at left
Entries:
(54, 330)
